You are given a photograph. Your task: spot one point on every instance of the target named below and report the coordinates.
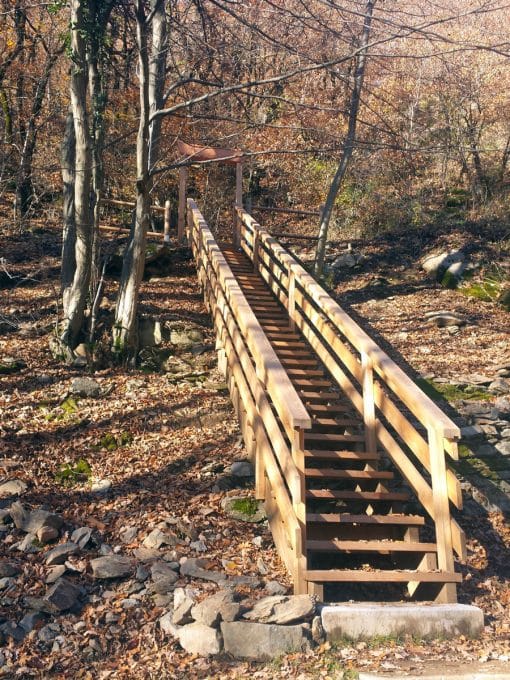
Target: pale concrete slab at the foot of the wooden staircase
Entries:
(362, 621)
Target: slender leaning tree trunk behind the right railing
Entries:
(350, 140)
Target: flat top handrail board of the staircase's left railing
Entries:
(270, 371)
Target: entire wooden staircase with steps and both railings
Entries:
(350, 456)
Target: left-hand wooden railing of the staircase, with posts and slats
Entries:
(256, 379)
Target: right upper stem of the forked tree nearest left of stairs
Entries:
(157, 76)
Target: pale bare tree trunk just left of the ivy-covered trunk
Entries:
(75, 295)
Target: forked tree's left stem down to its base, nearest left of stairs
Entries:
(125, 332)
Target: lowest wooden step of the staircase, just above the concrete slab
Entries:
(387, 576)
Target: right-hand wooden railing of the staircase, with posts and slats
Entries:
(416, 435)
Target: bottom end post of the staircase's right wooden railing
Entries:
(442, 518)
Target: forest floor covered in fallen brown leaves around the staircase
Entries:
(158, 448)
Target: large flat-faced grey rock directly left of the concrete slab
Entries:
(262, 642)
